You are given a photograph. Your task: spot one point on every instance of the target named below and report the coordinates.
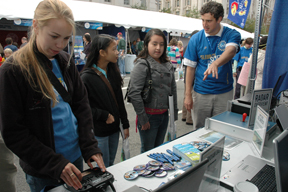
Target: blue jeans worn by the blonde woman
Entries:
(36, 184)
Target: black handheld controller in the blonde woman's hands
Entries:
(94, 180)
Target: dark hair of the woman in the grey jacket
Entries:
(144, 53)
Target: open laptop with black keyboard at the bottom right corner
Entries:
(264, 174)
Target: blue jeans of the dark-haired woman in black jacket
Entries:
(108, 146)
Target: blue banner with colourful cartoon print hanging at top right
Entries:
(238, 11)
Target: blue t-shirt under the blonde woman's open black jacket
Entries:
(65, 124)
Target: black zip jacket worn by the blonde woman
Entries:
(26, 121)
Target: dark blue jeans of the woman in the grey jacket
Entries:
(154, 136)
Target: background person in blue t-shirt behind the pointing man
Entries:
(239, 61)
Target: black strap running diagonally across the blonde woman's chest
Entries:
(56, 83)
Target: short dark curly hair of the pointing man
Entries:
(216, 9)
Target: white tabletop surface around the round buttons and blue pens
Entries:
(118, 170)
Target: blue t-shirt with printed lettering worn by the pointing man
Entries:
(204, 50)
